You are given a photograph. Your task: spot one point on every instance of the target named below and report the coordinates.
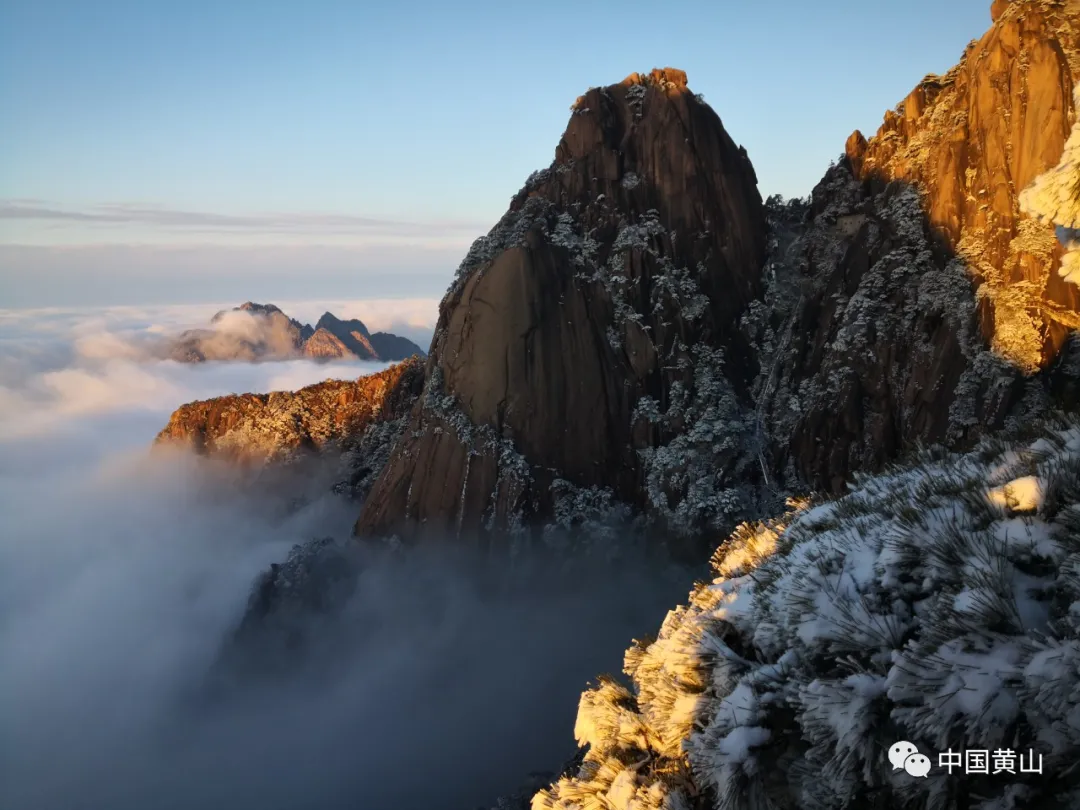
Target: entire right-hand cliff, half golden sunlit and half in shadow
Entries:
(928, 308)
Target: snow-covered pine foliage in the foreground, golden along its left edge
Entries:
(938, 604)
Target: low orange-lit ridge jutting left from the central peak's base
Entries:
(358, 421)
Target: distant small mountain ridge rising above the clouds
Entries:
(254, 332)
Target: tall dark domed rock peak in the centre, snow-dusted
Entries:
(589, 349)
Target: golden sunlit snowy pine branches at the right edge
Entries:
(1055, 199)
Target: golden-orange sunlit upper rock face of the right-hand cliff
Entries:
(973, 141)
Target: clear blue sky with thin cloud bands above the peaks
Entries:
(160, 151)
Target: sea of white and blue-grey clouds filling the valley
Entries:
(124, 572)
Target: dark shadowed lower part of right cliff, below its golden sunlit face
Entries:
(880, 349)
